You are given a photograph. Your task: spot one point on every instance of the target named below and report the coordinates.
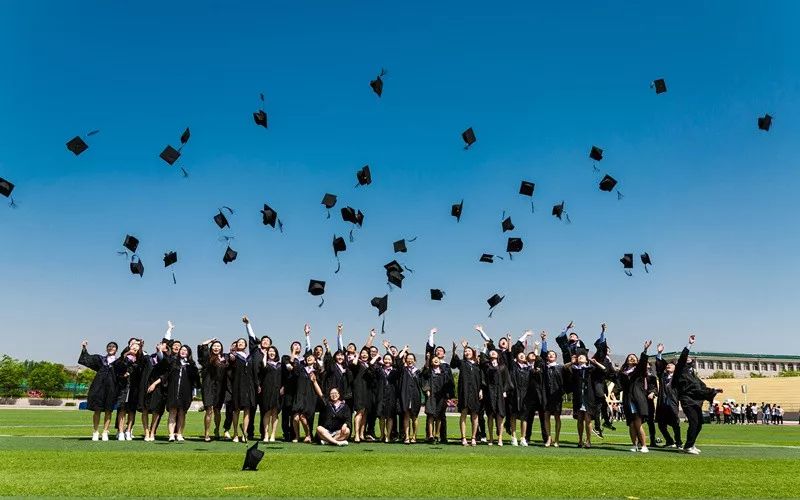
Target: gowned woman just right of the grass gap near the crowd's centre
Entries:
(470, 380)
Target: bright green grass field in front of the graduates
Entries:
(48, 452)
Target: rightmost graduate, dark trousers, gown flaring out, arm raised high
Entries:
(691, 393)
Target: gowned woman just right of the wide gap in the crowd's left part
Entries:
(214, 377)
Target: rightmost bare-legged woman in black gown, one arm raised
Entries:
(635, 390)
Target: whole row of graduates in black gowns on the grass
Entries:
(356, 392)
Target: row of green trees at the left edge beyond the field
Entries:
(18, 378)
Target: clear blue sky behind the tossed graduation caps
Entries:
(713, 199)
